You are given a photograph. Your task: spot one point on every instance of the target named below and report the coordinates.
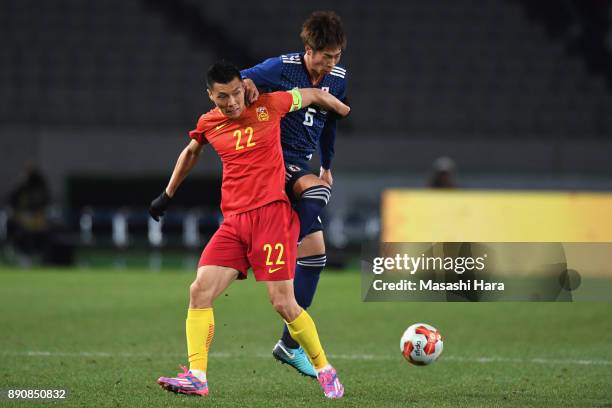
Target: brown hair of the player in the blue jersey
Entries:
(323, 29)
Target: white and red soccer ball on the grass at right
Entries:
(421, 344)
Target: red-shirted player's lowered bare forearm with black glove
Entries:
(187, 159)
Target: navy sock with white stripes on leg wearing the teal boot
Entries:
(307, 272)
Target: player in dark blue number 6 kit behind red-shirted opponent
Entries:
(302, 133)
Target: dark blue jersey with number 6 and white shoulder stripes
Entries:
(304, 130)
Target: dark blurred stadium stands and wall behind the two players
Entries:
(99, 96)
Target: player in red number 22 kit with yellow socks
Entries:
(259, 230)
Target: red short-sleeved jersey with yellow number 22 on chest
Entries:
(250, 150)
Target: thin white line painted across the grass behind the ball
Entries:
(361, 357)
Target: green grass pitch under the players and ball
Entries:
(107, 335)
